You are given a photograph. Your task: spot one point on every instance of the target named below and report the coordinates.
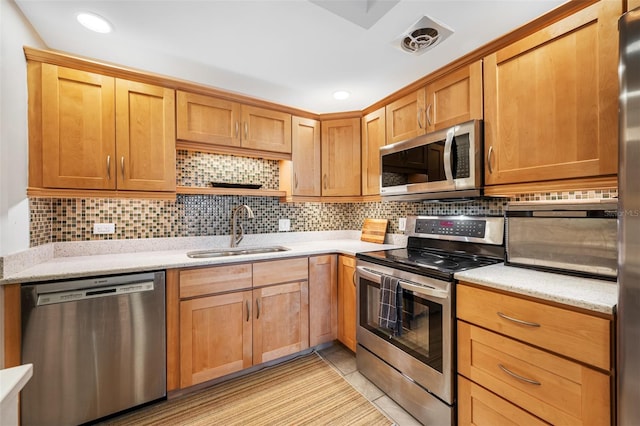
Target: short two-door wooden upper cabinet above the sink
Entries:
(215, 121)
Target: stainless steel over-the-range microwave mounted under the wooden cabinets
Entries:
(443, 164)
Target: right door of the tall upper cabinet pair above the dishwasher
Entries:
(145, 138)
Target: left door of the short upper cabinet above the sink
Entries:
(206, 119)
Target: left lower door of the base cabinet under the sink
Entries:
(215, 336)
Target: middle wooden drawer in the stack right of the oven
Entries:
(553, 388)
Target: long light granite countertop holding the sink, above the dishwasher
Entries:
(82, 259)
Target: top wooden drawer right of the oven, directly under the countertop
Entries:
(576, 335)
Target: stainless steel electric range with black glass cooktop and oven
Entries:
(417, 366)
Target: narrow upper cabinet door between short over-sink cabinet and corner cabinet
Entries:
(305, 156)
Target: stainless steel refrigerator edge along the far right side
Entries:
(628, 376)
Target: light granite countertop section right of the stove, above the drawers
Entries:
(591, 294)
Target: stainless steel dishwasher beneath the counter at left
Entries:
(98, 346)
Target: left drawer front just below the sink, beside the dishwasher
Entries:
(217, 279)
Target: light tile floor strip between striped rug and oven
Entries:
(345, 362)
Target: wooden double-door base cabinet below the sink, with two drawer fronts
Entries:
(236, 316)
